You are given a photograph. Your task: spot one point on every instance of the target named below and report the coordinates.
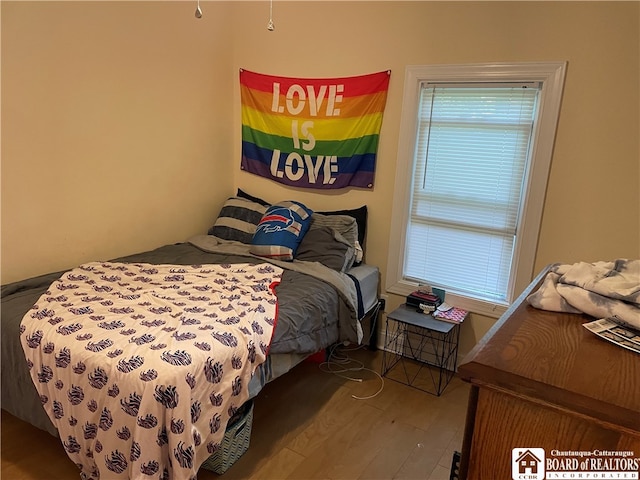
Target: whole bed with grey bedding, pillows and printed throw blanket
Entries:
(324, 293)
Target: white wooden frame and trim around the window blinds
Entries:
(551, 75)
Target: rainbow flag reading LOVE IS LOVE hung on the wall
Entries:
(312, 132)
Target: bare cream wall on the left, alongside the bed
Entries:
(115, 129)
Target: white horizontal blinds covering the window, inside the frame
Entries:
(471, 158)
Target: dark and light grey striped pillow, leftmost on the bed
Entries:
(238, 220)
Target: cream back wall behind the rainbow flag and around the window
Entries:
(592, 207)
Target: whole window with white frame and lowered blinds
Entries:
(474, 155)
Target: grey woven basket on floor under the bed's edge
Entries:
(235, 441)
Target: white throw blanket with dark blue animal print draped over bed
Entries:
(141, 366)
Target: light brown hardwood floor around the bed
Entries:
(306, 425)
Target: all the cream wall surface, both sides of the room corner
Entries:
(121, 122)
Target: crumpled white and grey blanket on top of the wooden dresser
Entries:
(601, 289)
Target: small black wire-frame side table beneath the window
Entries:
(419, 350)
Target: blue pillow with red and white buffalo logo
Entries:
(280, 231)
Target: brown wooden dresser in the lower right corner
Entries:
(539, 379)
